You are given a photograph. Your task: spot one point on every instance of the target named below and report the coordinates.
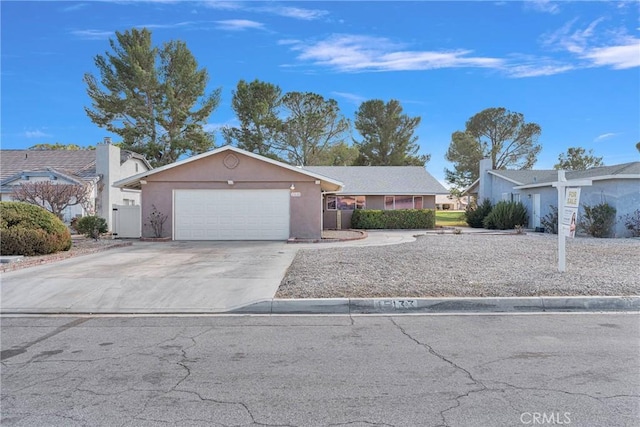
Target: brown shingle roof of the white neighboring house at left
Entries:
(73, 163)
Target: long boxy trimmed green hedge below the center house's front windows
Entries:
(372, 219)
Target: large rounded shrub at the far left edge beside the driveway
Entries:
(30, 230)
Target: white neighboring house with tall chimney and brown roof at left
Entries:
(99, 168)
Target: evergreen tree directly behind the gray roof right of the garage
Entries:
(387, 135)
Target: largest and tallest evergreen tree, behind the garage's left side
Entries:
(154, 98)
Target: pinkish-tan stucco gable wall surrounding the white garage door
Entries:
(214, 172)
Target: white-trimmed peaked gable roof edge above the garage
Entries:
(134, 181)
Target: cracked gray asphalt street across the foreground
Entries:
(437, 370)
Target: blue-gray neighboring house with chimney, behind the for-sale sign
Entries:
(618, 185)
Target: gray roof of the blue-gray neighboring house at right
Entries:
(545, 177)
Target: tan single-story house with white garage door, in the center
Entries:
(232, 194)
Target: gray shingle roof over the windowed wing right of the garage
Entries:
(382, 180)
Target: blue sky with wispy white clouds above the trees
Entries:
(571, 67)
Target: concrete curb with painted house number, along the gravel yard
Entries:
(441, 305)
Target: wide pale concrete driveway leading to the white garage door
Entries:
(186, 277)
